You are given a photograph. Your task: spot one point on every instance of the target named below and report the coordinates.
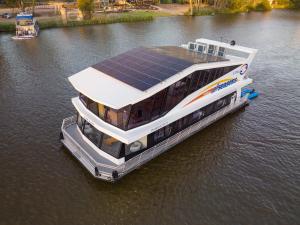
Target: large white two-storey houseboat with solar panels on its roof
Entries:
(135, 106)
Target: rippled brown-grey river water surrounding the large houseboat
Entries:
(244, 169)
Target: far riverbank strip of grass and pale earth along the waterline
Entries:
(135, 16)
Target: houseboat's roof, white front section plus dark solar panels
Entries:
(129, 77)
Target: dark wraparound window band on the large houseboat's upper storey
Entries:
(157, 105)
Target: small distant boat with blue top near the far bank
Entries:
(26, 27)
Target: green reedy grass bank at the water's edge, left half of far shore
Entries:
(126, 17)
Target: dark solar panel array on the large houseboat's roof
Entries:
(143, 68)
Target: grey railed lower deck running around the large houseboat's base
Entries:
(100, 167)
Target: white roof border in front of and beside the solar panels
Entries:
(101, 87)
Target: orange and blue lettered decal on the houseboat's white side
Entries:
(216, 86)
